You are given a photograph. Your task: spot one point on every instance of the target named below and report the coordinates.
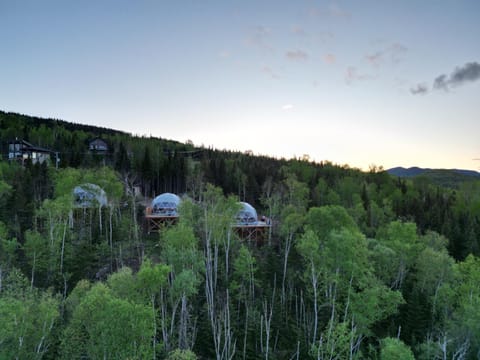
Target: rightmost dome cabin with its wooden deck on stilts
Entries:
(249, 227)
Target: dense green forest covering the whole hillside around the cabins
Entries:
(358, 265)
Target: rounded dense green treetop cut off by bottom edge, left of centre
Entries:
(106, 326)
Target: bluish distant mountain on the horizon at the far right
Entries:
(445, 177)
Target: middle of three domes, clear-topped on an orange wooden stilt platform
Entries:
(163, 211)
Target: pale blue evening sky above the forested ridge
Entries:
(355, 82)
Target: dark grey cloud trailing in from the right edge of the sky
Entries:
(469, 72)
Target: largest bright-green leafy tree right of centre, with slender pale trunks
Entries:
(339, 272)
